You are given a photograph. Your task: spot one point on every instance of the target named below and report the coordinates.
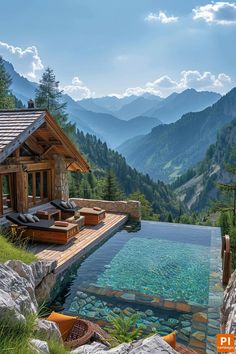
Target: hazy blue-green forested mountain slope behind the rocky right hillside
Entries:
(171, 149)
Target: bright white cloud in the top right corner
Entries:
(222, 13)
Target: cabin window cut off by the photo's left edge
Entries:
(6, 193)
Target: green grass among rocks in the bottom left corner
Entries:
(15, 338)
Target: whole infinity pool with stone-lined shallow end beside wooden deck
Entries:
(169, 274)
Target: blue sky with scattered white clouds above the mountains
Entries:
(122, 47)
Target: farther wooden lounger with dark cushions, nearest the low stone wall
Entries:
(93, 216)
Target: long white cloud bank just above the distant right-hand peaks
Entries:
(165, 85)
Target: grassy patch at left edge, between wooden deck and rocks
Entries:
(9, 251)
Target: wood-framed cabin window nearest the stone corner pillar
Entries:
(38, 187)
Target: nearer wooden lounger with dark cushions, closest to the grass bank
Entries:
(45, 230)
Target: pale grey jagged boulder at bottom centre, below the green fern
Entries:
(154, 345)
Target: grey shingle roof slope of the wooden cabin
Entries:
(15, 127)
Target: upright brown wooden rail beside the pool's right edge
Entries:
(226, 256)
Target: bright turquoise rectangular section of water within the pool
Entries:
(169, 269)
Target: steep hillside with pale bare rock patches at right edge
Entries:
(198, 187)
